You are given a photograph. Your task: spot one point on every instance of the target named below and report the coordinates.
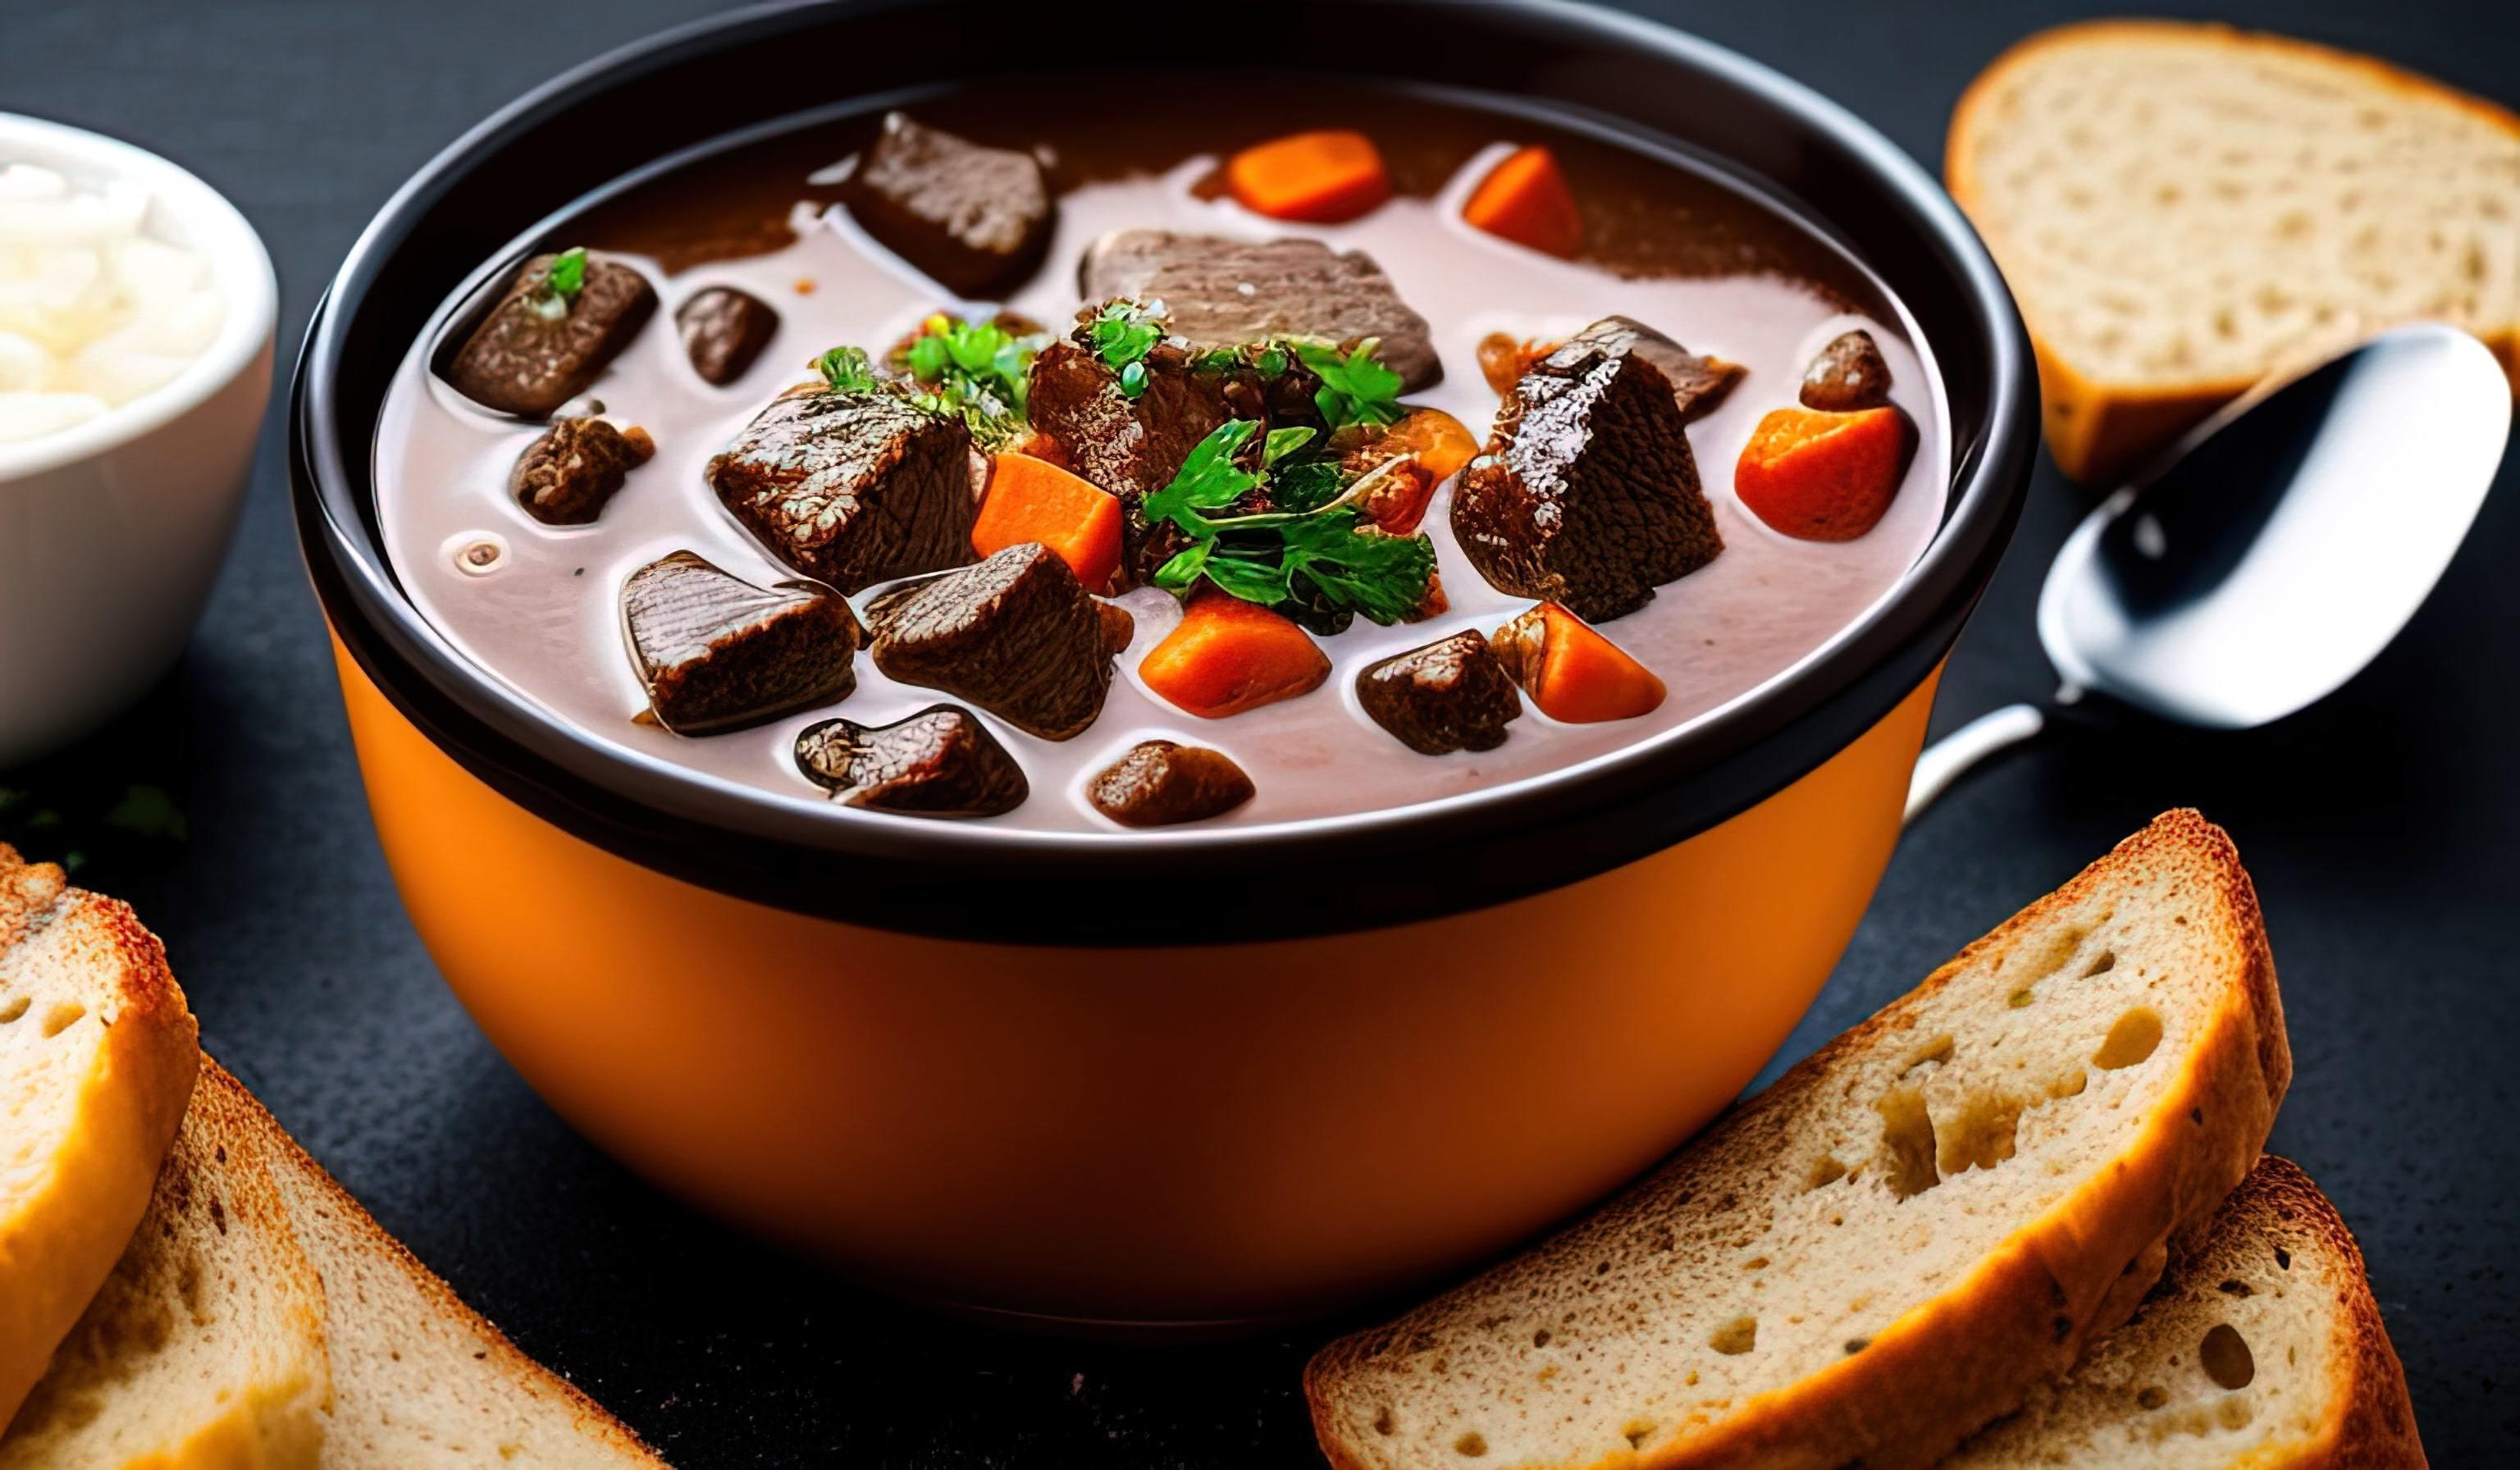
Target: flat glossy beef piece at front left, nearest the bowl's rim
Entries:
(939, 763)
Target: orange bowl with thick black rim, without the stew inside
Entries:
(1488, 1012)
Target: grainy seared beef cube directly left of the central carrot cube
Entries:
(853, 488)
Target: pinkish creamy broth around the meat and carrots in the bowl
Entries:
(546, 622)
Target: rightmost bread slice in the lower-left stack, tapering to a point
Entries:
(420, 1380)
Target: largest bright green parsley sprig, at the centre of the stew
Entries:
(1317, 564)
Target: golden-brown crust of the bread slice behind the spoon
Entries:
(2105, 432)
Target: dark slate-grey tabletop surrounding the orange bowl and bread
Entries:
(2383, 826)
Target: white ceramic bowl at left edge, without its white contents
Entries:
(112, 531)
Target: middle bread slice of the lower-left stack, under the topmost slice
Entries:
(205, 1348)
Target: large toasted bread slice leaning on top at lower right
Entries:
(1901, 1237)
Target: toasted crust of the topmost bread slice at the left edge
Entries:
(69, 1229)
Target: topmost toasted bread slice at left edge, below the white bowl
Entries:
(97, 1058)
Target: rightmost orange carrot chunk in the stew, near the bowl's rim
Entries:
(1826, 478)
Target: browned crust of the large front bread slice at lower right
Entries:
(2025, 1312)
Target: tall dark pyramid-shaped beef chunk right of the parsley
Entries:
(1586, 493)
